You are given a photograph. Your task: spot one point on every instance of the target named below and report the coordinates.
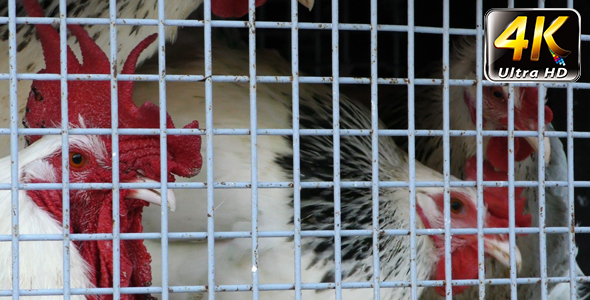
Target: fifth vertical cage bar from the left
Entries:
(209, 136)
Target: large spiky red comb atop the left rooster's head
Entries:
(92, 99)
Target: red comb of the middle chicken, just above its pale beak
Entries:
(496, 198)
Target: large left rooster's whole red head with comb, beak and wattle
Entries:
(91, 161)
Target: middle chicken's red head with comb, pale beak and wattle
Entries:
(464, 257)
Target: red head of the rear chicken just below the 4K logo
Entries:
(495, 114)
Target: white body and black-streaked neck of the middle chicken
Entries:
(188, 260)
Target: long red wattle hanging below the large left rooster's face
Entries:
(135, 269)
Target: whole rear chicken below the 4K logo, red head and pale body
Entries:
(428, 102)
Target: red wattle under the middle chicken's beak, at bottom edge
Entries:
(464, 266)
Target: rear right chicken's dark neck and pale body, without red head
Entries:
(429, 150)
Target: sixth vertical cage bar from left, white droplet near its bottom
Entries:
(253, 145)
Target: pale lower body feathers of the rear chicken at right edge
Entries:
(557, 245)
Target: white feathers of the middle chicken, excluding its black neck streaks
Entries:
(232, 162)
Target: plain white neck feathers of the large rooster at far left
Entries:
(41, 262)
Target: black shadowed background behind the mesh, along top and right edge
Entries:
(315, 59)
